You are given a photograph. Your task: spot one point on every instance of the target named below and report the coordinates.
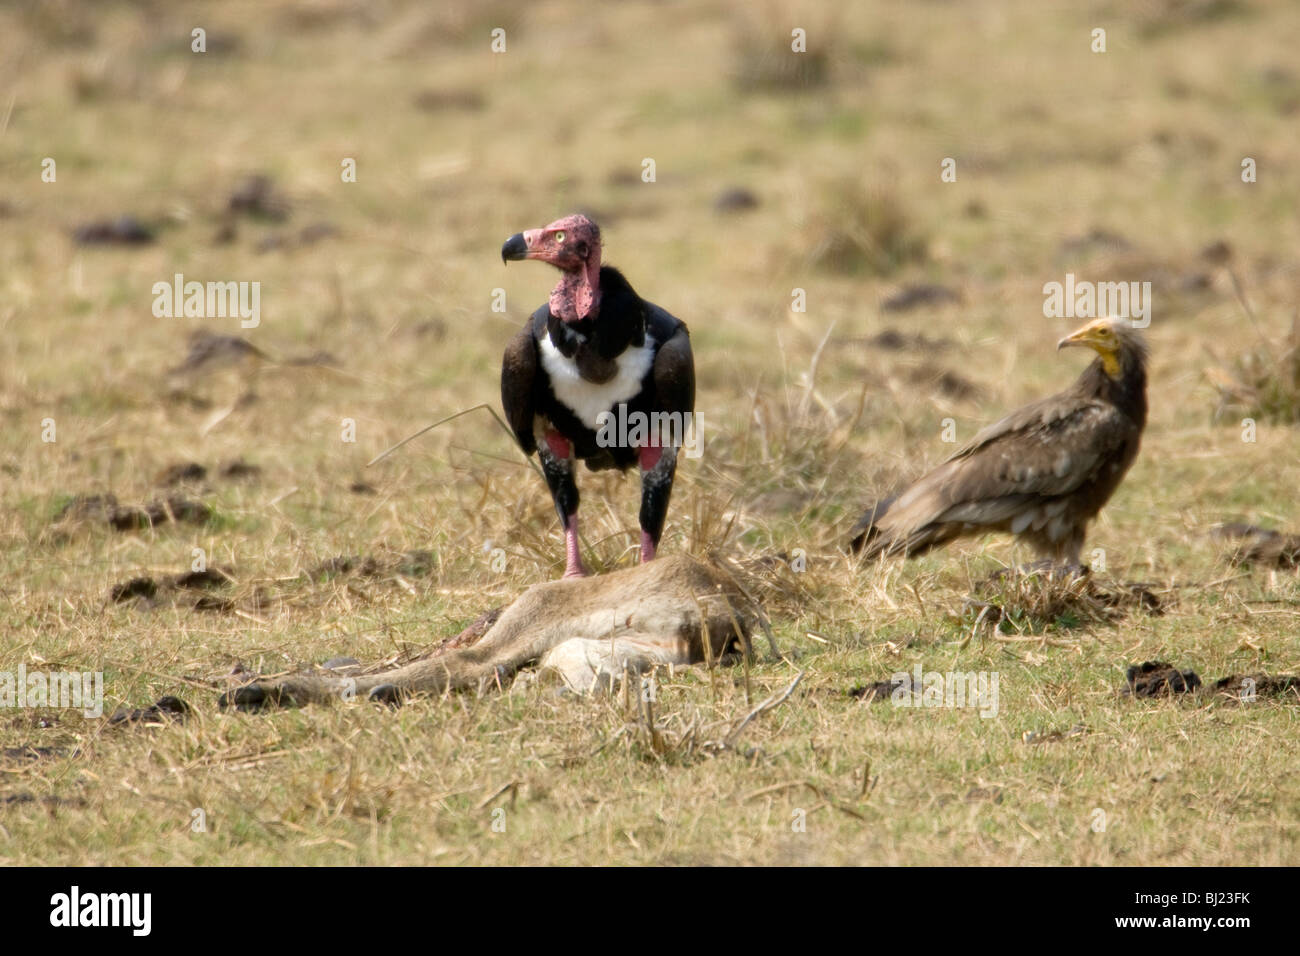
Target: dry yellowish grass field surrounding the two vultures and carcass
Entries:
(378, 309)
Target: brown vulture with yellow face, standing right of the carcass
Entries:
(1042, 474)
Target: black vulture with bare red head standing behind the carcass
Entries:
(597, 375)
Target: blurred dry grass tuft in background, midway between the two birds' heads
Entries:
(859, 230)
